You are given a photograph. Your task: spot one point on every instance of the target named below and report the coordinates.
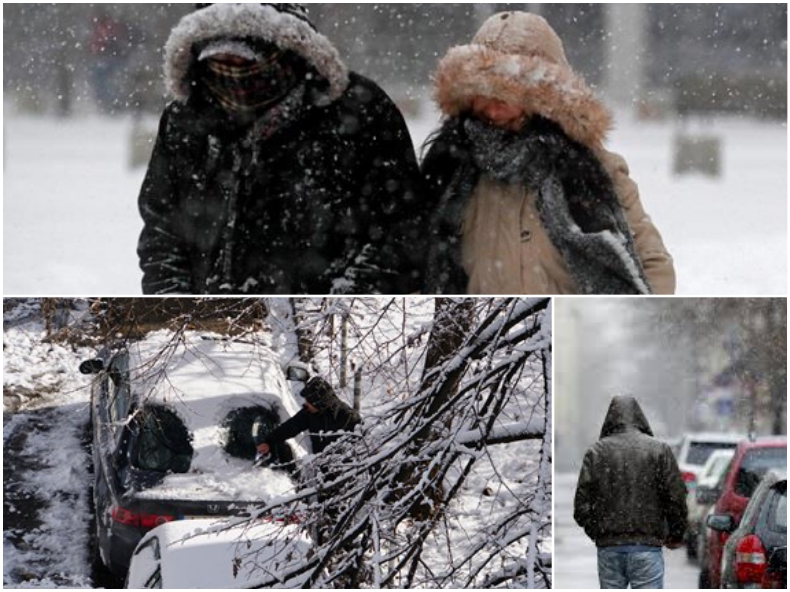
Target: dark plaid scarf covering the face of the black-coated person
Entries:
(249, 89)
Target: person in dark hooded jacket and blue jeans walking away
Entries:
(630, 499)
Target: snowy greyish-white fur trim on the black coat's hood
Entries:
(255, 21)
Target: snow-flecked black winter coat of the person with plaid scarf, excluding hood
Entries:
(332, 206)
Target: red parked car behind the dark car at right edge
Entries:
(752, 460)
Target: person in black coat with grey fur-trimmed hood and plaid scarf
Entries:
(276, 170)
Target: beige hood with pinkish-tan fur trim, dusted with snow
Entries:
(518, 58)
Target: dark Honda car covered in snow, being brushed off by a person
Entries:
(172, 420)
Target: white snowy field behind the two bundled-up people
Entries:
(71, 222)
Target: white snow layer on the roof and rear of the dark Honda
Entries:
(201, 378)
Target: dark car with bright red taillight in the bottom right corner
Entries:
(762, 530)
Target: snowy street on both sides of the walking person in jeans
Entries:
(575, 564)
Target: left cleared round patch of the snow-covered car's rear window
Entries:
(163, 444)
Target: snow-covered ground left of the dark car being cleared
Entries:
(46, 468)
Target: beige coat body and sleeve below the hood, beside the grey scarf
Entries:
(506, 250)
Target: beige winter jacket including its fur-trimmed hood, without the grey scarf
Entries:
(518, 58)
